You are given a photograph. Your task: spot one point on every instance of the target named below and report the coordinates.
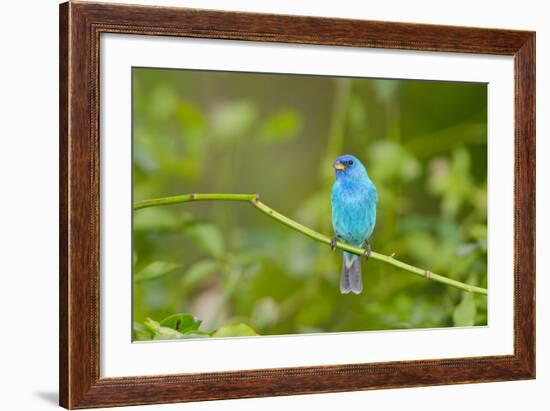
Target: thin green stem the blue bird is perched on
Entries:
(254, 200)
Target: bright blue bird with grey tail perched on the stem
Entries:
(353, 199)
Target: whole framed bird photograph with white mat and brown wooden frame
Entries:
(259, 205)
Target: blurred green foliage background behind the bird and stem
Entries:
(223, 269)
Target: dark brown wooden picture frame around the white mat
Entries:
(80, 27)
